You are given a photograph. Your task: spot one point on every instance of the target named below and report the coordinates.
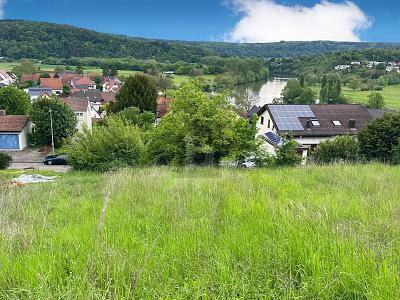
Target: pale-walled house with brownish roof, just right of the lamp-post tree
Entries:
(82, 110)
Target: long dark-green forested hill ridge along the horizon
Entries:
(38, 40)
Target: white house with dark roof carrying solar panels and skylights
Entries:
(309, 125)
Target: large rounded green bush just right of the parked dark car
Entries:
(109, 147)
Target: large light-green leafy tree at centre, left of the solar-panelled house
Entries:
(200, 130)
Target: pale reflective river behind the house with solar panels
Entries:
(263, 92)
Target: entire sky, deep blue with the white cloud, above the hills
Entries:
(218, 20)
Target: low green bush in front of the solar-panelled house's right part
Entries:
(341, 149)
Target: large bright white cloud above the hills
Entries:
(268, 21)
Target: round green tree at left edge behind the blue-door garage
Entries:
(14, 101)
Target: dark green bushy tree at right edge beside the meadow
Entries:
(379, 139)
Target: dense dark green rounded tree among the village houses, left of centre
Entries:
(139, 91)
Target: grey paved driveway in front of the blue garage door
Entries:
(32, 158)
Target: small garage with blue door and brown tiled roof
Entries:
(14, 132)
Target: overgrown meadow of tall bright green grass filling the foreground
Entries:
(305, 233)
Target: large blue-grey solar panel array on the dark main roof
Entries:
(286, 117)
